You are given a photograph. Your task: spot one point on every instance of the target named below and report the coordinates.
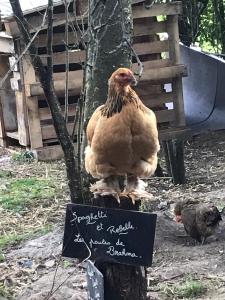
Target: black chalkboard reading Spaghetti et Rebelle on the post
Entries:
(112, 235)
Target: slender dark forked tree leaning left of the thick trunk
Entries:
(46, 80)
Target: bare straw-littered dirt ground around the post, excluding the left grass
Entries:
(28, 270)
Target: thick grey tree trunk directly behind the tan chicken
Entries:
(110, 27)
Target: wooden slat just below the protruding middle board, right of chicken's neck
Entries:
(157, 99)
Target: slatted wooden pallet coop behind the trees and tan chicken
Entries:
(155, 40)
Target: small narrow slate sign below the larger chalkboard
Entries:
(95, 282)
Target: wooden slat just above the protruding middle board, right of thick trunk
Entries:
(151, 47)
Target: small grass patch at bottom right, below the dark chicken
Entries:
(189, 289)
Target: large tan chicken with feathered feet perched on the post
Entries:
(122, 140)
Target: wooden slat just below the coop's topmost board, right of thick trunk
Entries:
(147, 28)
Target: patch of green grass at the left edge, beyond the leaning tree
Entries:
(19, 193)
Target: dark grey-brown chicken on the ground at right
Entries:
(199, 220)
